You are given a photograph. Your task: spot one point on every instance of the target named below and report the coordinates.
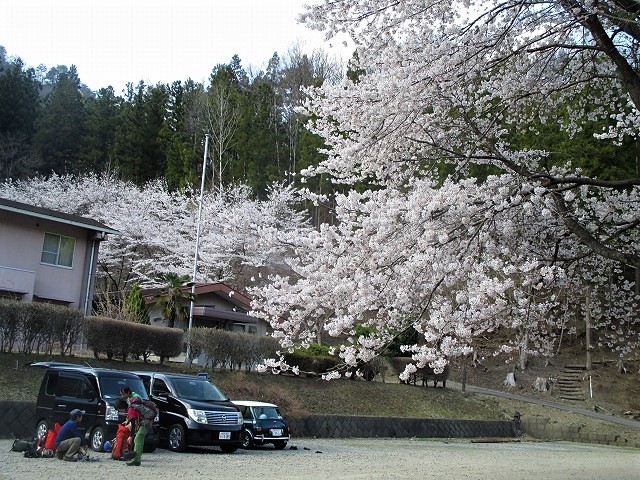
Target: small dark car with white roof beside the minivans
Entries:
(263, 424)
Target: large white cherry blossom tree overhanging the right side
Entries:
(469, 225)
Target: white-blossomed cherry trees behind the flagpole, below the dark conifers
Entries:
(158, 227)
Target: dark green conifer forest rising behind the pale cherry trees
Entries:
(51, 123)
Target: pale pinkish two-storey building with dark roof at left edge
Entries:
(47, 255)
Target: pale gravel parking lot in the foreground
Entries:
(351, 459)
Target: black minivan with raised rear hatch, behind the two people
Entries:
(67, 386)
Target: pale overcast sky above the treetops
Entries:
(118, 41)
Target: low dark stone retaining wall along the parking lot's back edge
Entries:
(17, 420)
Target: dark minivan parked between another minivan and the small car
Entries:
(193, 411)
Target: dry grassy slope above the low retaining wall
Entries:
(612, 392)
